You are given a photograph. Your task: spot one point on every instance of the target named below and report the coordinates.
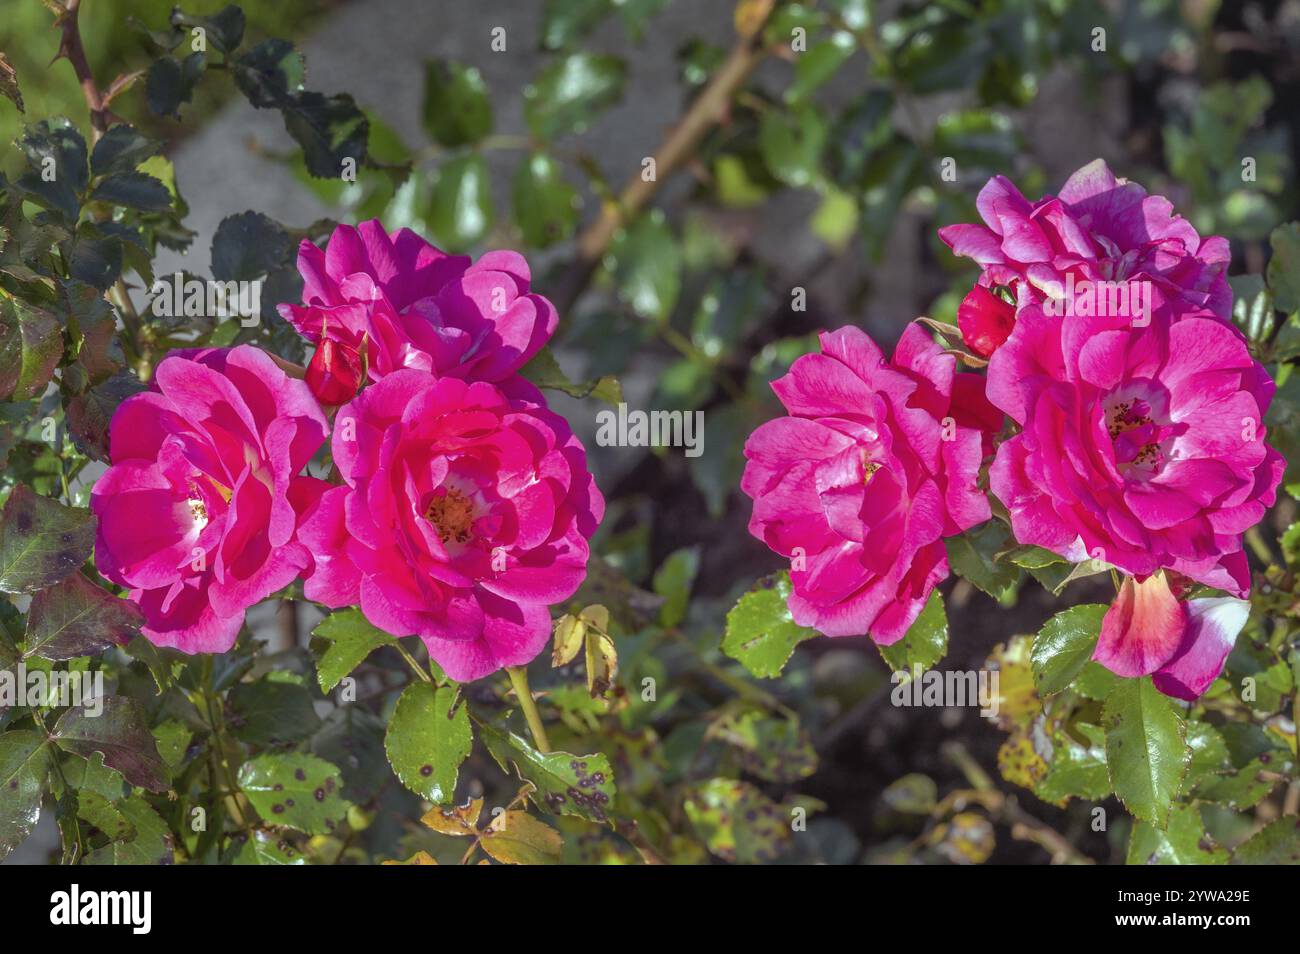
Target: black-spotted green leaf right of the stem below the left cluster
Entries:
(567, 784)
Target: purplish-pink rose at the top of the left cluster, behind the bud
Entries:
(402, 303)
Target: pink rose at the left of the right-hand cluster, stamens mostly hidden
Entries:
(877, 463)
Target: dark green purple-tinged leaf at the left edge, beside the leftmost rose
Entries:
(41, 541)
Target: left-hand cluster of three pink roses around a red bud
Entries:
(461, 506)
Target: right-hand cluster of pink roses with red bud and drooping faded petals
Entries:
(1137, 439)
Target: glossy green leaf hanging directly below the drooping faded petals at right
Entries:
(1146, 749)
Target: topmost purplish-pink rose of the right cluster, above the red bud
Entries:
(1098, 229)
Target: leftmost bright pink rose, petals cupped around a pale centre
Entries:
(196, 514)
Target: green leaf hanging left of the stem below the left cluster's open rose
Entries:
(428, 739)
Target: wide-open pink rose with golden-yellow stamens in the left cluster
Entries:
(466, 515)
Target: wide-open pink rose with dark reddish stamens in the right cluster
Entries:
(1141, 445)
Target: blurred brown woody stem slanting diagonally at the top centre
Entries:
(709, 109)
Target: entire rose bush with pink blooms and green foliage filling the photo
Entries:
(304, 540)
